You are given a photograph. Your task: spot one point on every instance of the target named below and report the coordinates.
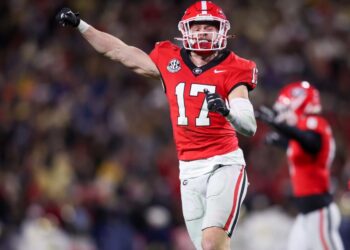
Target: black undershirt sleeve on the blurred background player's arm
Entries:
(309, 140)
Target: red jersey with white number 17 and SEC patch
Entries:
(199, 134)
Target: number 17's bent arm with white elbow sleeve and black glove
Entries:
(241, 112)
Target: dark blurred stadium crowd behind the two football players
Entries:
(87, 159)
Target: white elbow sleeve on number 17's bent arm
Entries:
(242, 117)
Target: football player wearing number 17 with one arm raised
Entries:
(207, 89)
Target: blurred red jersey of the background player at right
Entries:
(310, 174)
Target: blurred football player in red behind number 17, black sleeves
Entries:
(307, 136)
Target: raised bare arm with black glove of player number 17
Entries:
(110, 46)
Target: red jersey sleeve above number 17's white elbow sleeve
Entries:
(246, 74)
